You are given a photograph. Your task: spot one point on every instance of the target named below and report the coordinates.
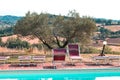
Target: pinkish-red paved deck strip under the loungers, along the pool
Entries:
(49, 65)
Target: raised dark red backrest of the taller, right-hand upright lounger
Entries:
(73, 50)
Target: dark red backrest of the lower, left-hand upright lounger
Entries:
(59, 54)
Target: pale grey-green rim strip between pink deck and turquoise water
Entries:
(61, 70)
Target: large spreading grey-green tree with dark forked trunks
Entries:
(56, 30)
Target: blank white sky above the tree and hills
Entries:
(95, 8)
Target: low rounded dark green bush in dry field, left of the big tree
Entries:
(16, 43)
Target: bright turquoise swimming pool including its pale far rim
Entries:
(69, 74)
